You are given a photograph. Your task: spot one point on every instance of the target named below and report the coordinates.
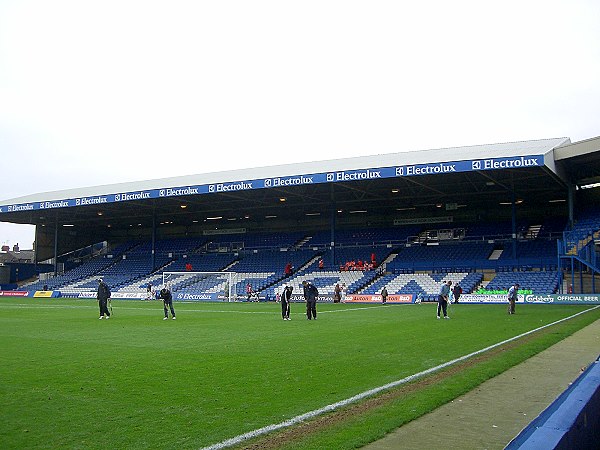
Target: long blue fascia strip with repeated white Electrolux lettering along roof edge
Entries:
(295, 180)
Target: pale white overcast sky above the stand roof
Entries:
(96, 92)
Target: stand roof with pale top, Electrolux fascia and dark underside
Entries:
(539, 179)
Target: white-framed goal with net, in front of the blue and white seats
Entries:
(201, 285)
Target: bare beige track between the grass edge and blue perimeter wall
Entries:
(491, 415)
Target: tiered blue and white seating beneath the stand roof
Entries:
(403, 268)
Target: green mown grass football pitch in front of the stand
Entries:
(225, 370)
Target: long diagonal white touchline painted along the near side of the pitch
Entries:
(332, 407)
